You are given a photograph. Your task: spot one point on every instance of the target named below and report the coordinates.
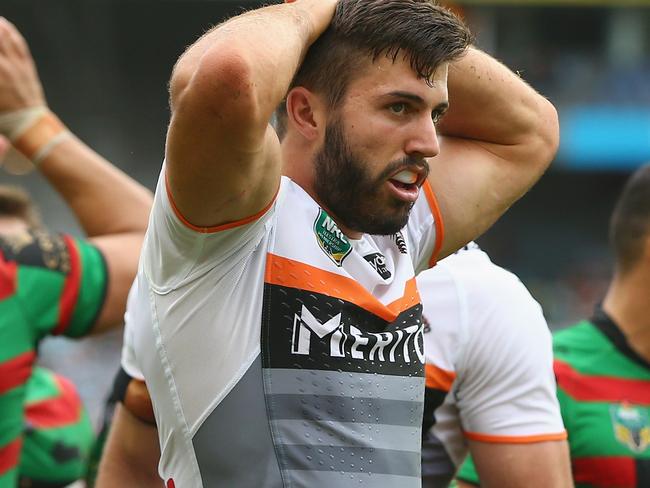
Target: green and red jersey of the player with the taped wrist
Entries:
(49, 284)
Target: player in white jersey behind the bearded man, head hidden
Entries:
(489, 378)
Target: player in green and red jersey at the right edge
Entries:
(602, 365)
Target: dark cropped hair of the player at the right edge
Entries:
(630, 222)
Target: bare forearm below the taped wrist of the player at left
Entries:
(104, 199)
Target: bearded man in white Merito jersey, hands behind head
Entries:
(277, 319)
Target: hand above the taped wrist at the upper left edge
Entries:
(20, 86)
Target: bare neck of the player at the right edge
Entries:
(627, 302)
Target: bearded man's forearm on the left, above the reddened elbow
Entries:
(266, 46)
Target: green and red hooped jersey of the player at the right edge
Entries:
(604, 394)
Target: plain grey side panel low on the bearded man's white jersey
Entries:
(233, 446)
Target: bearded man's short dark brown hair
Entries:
(419, 30)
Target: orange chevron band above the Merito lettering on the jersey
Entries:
(293, 274)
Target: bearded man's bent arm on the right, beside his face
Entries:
(497, 139)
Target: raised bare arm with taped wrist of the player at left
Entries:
(112, 208)
